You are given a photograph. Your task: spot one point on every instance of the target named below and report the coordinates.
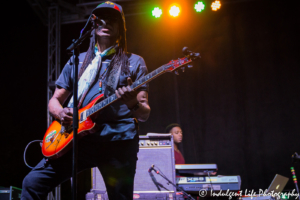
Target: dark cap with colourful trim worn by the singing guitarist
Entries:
(110, 6)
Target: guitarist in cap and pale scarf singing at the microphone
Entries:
(106, 68)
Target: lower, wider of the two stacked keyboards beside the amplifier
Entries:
(216, 183)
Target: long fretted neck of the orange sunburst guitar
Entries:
(143, 80)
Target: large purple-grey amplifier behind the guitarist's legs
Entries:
(154, 149)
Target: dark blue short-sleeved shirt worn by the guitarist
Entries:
(115, 122)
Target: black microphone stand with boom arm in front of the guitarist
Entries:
(74, 48)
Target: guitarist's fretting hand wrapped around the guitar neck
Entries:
(127, 95)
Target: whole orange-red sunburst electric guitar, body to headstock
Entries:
(58, 139)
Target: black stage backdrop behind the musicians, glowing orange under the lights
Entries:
(238, 106)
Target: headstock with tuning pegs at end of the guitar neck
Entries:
(180, 63)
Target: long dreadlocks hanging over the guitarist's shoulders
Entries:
(120, 58)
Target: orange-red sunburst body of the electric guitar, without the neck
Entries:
(59, 139)
